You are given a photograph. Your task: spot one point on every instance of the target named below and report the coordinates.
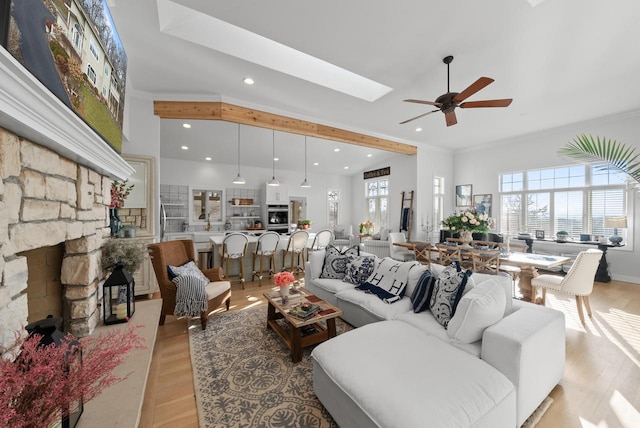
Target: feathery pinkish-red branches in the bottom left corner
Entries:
(44, 380)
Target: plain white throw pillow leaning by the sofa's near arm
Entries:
(480, 308)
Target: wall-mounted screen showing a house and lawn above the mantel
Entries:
(73, 48)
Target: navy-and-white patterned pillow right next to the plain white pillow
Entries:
(447, 292)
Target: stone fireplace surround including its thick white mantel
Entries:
(55, 180)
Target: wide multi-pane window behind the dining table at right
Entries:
(575, 199)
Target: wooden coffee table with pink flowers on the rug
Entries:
(292, 334)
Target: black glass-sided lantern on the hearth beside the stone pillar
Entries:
(118, 301)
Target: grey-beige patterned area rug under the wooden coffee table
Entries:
(244, 377)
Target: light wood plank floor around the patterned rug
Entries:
(600, 388)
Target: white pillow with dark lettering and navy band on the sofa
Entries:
(389, 279)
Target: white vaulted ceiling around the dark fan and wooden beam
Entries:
(562, 62)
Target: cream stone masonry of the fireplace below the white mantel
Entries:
(47, 201)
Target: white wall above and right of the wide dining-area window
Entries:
(481, 167)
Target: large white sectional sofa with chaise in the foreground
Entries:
(404, 369)
